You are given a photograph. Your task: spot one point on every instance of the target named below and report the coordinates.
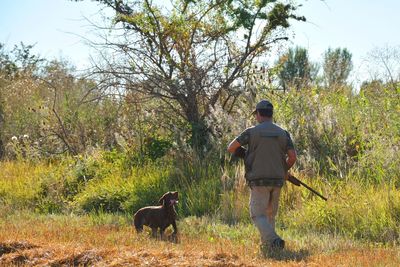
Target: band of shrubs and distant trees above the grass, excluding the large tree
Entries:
(47, 111)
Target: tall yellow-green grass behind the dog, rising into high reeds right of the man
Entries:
(348, 148)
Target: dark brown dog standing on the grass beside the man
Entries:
(158, 217)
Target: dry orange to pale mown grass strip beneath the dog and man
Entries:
(78, 241)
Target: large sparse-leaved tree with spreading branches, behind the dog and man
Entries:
(191, 55)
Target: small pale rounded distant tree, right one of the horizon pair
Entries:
(337, 66)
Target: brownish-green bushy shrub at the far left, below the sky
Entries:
(51, 112)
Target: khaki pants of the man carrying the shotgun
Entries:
(264, 201)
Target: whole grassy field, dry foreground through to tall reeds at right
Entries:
(75, 210)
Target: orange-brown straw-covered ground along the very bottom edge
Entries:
(149, 252)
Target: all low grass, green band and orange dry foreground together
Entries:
(79, 212)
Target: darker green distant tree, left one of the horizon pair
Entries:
(296, 69)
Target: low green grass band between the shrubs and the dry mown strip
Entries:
(355, 210)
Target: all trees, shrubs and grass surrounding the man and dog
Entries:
(82, 154)
